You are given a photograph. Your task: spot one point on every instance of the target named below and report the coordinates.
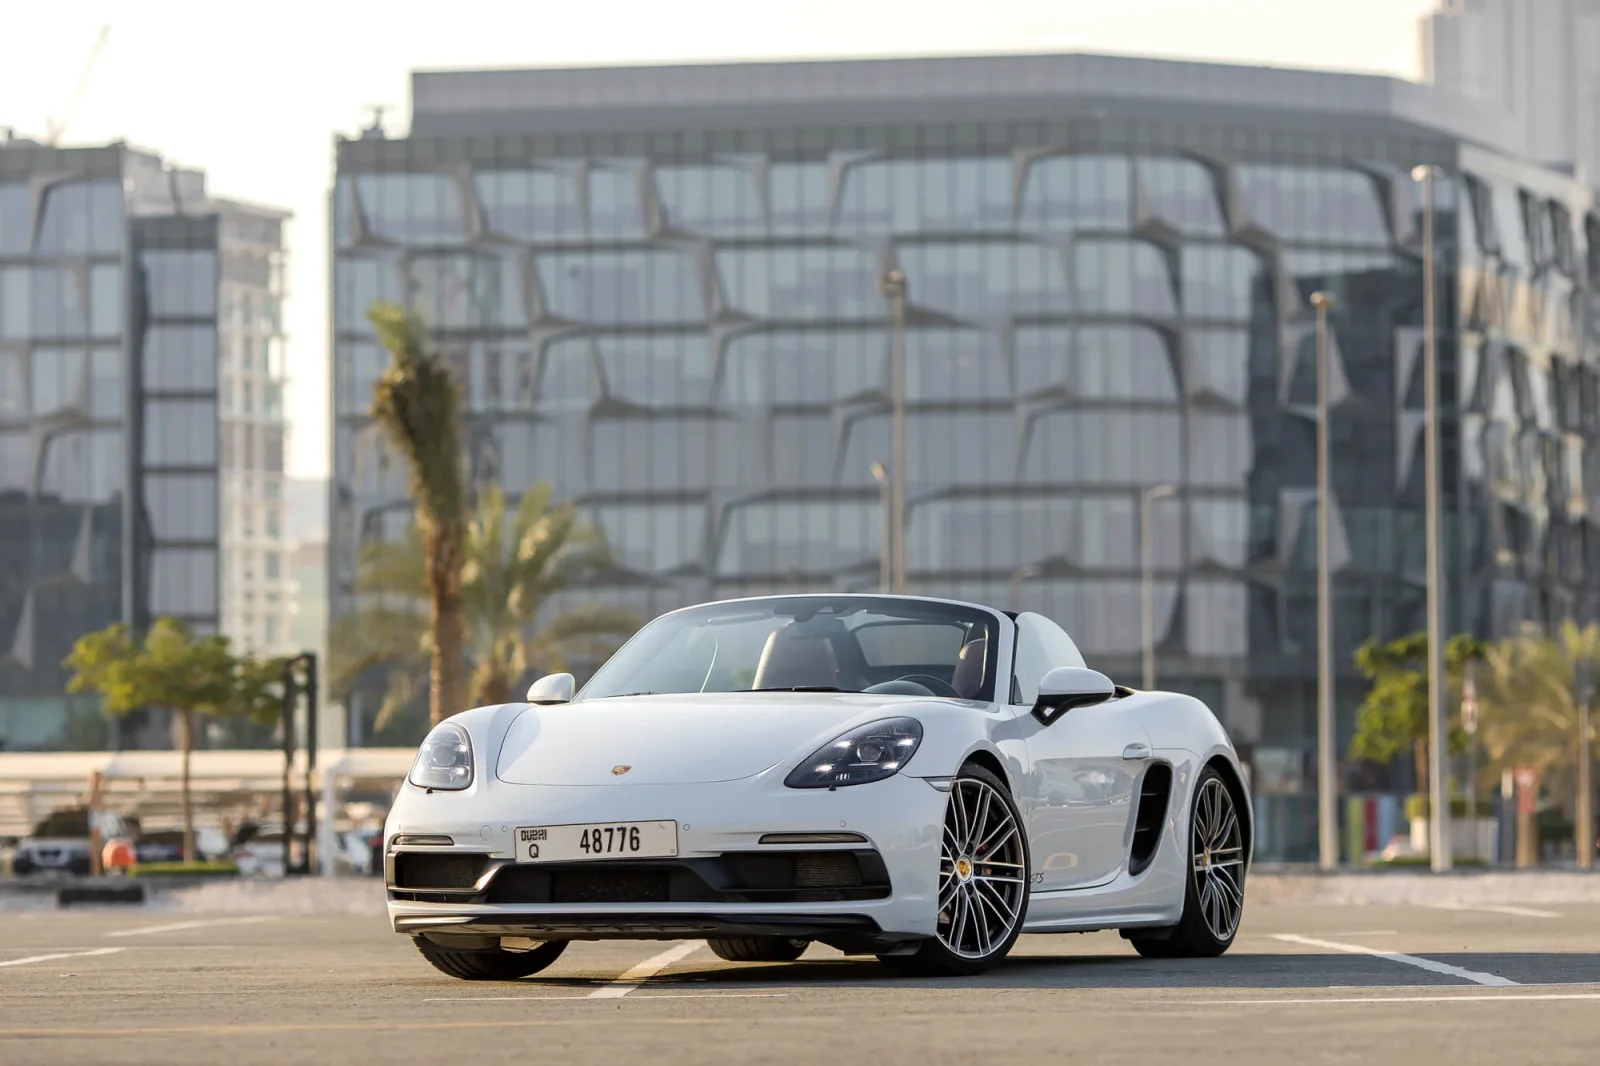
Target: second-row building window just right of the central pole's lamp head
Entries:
(985, 281)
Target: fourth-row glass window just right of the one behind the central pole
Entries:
(1106, 447)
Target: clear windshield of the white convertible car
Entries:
(810, 644)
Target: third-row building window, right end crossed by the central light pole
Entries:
(806, 367)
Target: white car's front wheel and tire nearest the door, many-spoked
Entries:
(985, 873)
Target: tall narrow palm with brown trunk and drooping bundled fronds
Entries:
(418, 406)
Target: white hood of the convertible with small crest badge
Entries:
(689, 739)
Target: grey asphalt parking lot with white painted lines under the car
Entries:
(1505, 985)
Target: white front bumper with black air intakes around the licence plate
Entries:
(714, 888)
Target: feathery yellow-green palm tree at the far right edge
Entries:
(1530, 715)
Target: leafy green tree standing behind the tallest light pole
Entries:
(1393, 721)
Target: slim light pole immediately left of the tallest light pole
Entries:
(1327, 766)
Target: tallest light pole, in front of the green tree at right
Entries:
(1438, 734)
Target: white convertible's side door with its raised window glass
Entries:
(1084, 775)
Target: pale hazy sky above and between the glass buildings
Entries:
(255, 95)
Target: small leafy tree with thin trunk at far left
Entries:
(170, 668)
